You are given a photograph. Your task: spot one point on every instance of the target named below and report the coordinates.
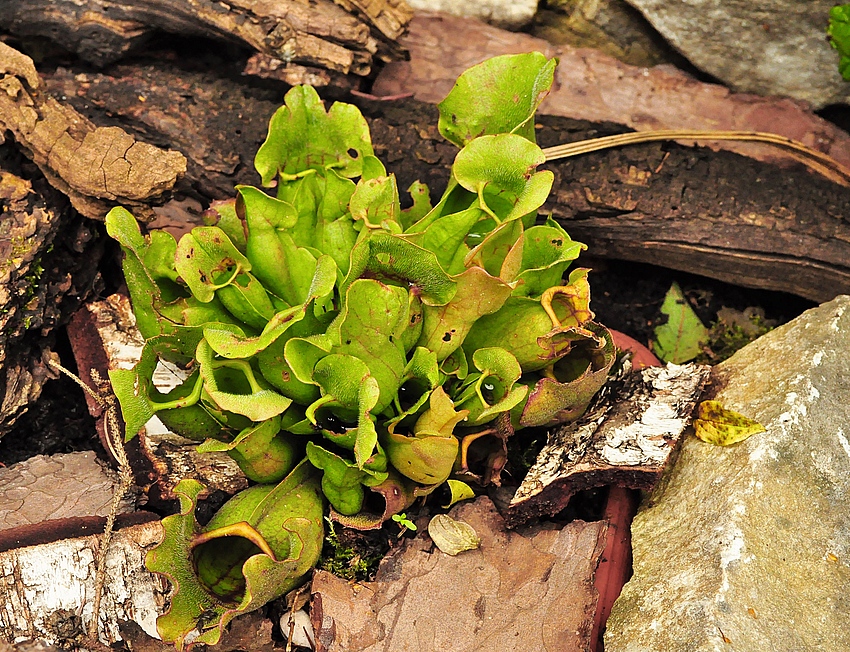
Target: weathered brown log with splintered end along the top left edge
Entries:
(341, 35)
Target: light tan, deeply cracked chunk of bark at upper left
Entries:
(96, 167)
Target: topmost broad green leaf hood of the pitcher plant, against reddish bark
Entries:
(497, 96)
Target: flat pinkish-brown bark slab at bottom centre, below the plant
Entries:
(521, 590)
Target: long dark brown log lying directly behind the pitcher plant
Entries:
(718, 214)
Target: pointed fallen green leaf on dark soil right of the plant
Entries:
(681, 338)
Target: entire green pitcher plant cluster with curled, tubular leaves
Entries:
(340, 346)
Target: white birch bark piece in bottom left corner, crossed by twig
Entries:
(46, 590)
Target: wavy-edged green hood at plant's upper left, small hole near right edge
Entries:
(302, 136)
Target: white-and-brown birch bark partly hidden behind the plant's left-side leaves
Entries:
(103, 336)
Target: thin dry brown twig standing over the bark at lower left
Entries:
(103, 396)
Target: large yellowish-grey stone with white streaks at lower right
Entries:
(748, 547)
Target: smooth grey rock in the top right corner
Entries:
(775, 47)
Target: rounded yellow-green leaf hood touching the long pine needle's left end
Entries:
(500, 169)
